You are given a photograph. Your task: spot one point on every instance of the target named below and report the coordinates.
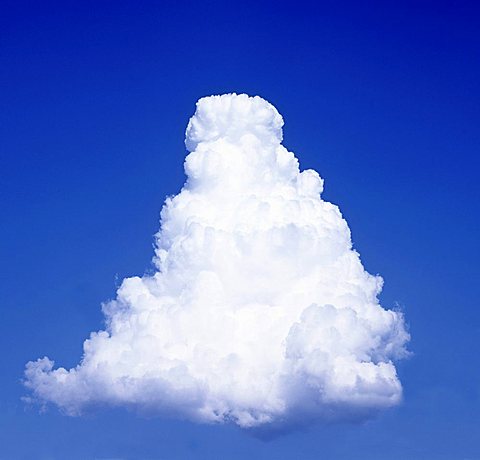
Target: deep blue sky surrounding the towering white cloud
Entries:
(381, 99)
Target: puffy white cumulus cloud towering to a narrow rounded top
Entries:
(259, 312)
